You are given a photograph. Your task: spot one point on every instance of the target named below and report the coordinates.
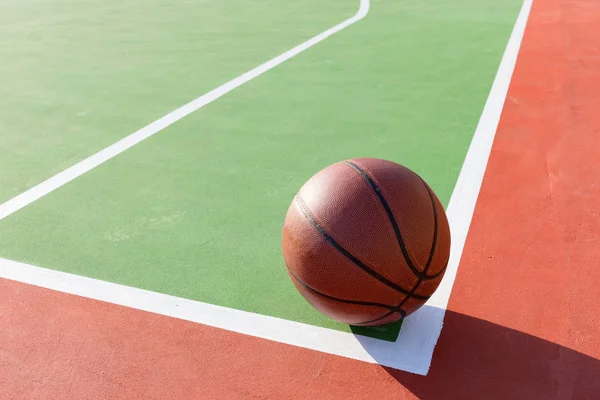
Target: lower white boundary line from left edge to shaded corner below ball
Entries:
(411, 352)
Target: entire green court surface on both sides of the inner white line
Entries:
(196, 211)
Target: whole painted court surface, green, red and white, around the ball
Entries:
(150, 151)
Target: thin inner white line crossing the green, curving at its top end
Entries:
(29, 196)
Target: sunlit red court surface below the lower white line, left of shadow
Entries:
(59, 346)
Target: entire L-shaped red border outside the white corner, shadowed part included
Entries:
(524, 317)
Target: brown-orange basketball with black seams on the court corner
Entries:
(366, 241)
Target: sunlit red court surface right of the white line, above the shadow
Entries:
(537, 223)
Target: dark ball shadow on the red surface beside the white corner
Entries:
(477, 359)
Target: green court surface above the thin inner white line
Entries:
(78, 75)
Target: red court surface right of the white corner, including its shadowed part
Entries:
(530, 264)
